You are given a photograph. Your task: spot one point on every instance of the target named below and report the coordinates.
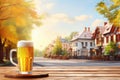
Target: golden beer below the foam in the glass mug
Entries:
(25, 59)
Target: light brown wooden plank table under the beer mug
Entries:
(68, 73)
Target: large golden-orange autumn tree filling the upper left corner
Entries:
(16, 20)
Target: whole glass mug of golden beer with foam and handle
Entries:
(25, 57)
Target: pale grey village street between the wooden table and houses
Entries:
(44, 62)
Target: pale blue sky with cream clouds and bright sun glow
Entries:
(62, 17)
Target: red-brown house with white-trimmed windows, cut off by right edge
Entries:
(112, 34)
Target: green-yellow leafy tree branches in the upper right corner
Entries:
(110, 11)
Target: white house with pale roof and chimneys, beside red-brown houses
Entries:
(82, 43)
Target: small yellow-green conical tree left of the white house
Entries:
(57, 50)
